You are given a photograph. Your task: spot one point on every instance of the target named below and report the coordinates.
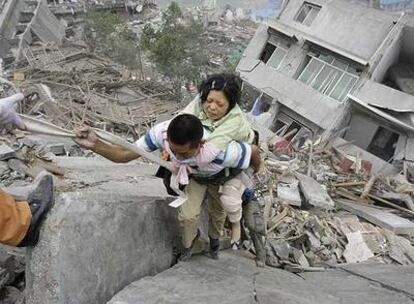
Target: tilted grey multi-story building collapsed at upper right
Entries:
(337, 67)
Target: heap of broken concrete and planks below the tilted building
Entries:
(323, 207)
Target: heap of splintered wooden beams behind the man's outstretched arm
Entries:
(69, 86)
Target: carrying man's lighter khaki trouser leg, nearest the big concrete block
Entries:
(189, 215)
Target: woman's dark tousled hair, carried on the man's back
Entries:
(230, 84)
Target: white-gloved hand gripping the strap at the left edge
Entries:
(9, 120)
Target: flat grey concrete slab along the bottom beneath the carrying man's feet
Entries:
(234, 279)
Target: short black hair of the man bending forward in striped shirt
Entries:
(185, 129)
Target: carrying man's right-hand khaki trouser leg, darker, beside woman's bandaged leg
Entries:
(216, 219)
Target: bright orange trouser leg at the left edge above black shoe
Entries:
(15, 218)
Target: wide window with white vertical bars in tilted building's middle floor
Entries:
(329, 75)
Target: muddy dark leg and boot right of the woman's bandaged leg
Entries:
(254, 221)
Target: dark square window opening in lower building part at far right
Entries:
(383, 143)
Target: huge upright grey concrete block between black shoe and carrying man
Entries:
(111, 226)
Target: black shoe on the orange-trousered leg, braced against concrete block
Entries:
(40, 202)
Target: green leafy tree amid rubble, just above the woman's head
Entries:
(175, 47)
